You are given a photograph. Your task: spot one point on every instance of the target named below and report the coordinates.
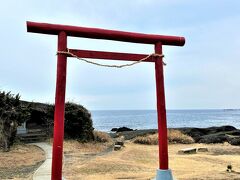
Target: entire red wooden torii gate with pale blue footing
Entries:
(62, 31)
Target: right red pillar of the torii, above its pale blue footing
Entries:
(161, 110)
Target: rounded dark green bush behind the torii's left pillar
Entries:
(77, 123)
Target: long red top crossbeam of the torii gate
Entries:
(97, 33)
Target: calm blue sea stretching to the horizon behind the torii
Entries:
(147, 119)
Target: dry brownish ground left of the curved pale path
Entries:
(20, 162)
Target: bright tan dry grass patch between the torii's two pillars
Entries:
(124, 164)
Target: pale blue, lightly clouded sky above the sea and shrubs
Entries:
(202, 74)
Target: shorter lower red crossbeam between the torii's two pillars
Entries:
(110, 55)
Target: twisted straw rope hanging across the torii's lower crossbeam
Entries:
(112, 66)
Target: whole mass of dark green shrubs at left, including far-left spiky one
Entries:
(13, 112)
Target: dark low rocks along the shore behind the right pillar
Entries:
(209, 135)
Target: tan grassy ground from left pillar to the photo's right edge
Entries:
(140, 162)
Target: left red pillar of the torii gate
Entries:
(58, 133)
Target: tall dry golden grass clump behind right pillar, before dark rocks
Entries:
(174, 136)
